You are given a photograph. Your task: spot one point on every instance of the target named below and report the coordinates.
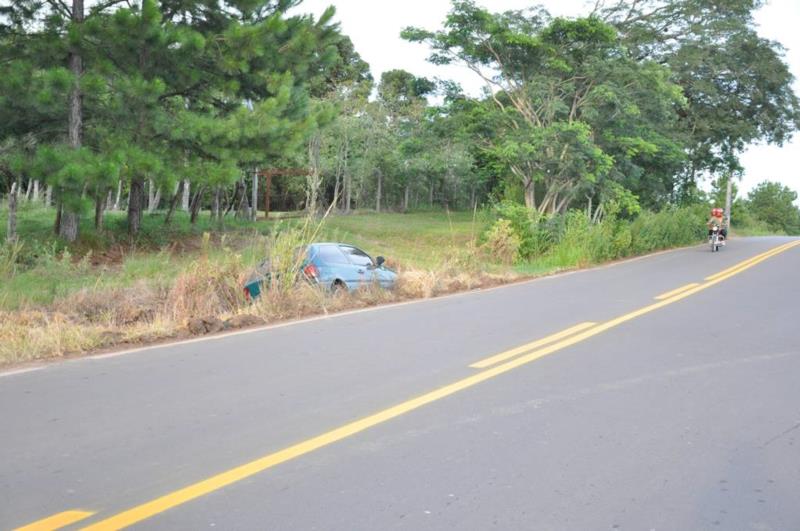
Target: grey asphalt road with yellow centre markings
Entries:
(669, 414)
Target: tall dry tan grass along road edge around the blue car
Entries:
(210, 288)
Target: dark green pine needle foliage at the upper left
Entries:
(169, 91)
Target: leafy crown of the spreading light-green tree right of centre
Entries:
(573, 112)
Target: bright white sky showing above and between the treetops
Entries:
(375, 25)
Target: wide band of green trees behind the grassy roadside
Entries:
(166, 104)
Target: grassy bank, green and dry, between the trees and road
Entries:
(108, 291)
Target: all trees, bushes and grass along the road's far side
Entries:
(144, 145)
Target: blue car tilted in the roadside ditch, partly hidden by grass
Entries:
(334, 267)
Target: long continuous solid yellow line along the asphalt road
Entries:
(191, 492)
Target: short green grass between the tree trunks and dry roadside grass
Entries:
(49, 270)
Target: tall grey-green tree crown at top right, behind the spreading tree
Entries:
(737, 86)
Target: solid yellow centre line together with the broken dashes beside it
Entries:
(497, 365)
